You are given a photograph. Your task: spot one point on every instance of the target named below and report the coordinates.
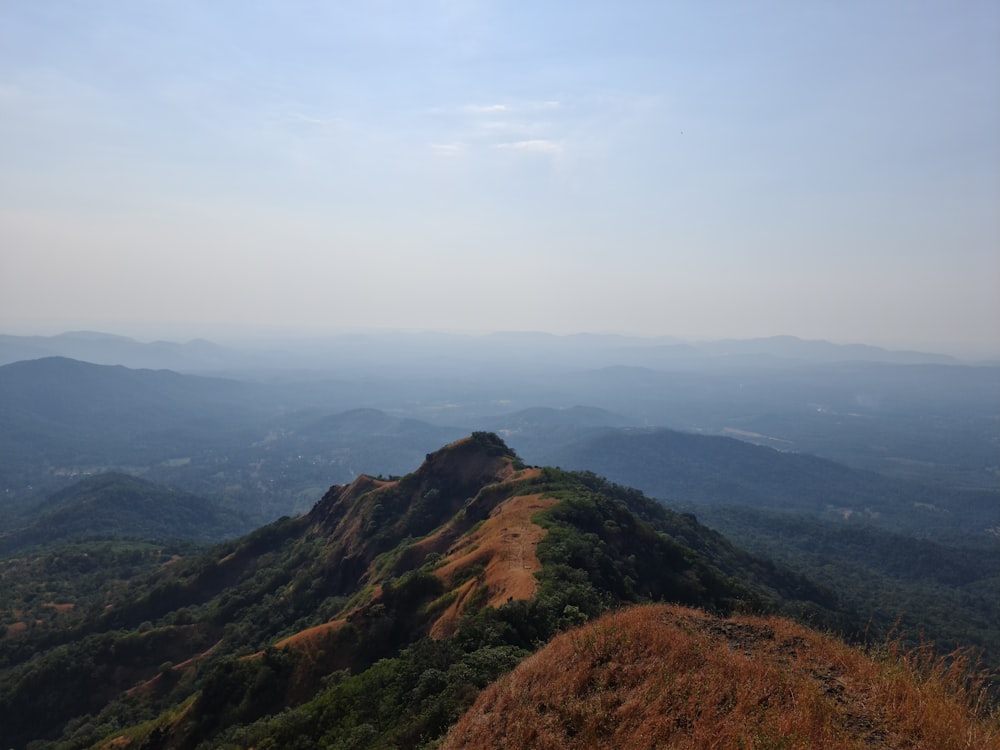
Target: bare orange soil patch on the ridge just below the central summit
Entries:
(505, 546)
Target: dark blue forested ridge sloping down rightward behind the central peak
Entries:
(921, 558)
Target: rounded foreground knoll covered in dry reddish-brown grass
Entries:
(662, 676)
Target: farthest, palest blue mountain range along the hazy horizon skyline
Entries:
(424, 349)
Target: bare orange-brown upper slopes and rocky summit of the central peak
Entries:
(486, 545)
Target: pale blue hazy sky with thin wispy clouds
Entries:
(822, 169)
